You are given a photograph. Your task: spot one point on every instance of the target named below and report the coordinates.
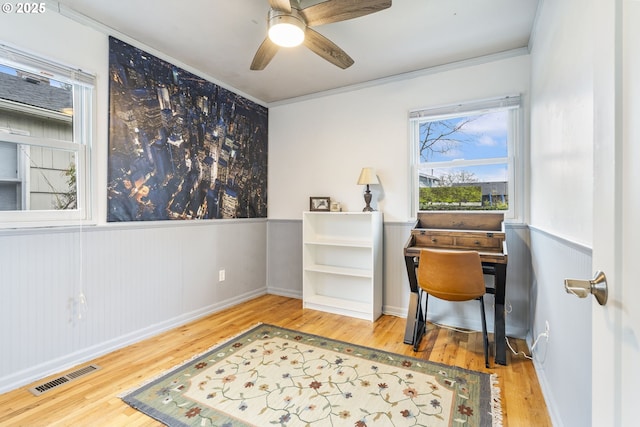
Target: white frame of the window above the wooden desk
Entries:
(512, 103)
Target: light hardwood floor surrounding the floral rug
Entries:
(93, 400)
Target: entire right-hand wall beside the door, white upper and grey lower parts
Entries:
(561, 202)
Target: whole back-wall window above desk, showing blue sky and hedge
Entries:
(464, 156)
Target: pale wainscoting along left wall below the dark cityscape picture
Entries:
(70, 295)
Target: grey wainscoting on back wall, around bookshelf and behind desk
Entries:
(285, 275)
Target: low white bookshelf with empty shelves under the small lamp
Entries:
(342, 263)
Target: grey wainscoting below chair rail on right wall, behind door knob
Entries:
(563, 362)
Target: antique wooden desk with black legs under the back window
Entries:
(481, 232)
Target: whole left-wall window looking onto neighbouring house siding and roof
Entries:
(45, 141)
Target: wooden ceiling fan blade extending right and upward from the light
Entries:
(341, 10)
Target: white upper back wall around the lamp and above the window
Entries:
(318, 146)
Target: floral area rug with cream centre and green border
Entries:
(270, 376)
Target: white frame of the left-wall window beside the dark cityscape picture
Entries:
(83, 119)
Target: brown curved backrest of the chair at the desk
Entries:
(451, 275)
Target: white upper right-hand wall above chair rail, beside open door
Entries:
(562, 122)
